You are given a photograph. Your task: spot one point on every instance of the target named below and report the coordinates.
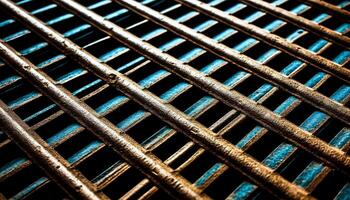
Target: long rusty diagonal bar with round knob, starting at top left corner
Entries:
(224, 150)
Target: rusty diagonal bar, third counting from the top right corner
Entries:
(257, 33)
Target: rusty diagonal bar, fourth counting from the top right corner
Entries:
(295, 88)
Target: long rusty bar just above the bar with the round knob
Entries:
(286, 129)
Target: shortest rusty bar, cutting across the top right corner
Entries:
(329, 8)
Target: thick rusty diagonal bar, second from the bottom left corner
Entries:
(130, 150)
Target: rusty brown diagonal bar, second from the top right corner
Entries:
(301, 22)
